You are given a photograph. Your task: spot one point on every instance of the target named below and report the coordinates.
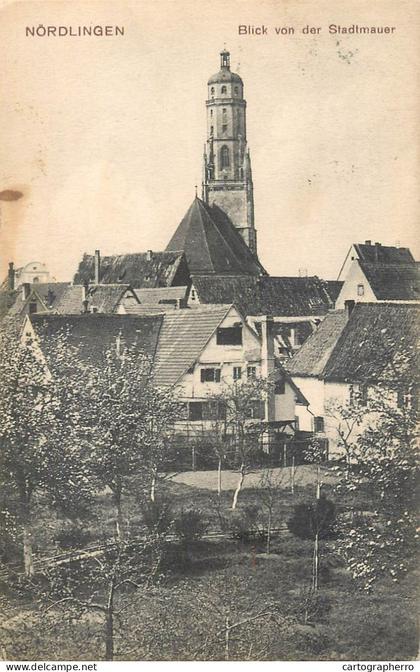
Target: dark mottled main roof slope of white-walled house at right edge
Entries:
(379, 343)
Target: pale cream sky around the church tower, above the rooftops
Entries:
(104, 135)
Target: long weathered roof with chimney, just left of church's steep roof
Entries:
(157, 269)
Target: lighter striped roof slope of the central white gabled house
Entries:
(182, 338)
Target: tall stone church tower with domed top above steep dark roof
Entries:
(227, 177)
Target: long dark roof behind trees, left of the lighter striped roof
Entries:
(94, 333)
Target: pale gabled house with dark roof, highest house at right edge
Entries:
(379, 273)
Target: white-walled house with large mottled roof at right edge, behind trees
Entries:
(369, 348)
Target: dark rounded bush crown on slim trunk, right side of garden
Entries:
(307, 519)
